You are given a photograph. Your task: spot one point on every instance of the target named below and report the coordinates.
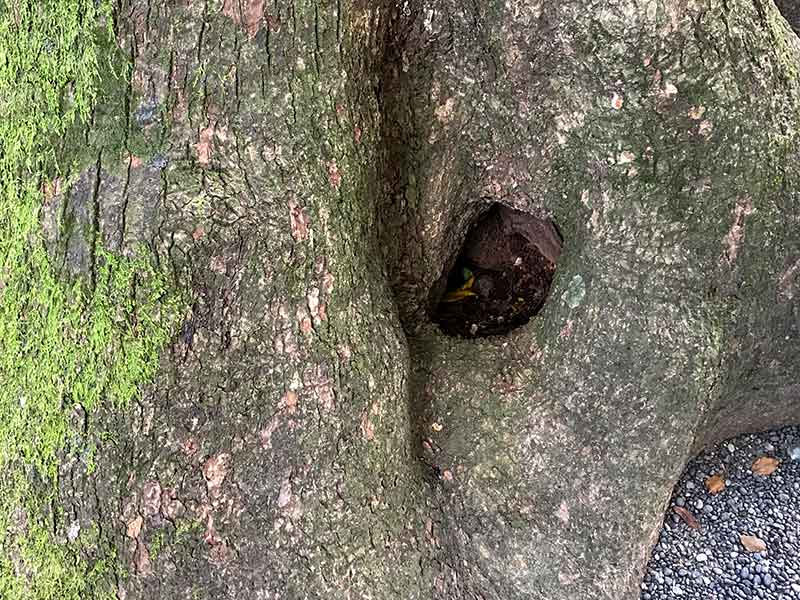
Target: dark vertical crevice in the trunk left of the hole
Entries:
(402, 94)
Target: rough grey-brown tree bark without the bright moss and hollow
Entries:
(309, 170)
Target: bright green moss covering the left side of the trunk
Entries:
(64, 344)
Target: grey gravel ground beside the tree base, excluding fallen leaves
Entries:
(710, 563)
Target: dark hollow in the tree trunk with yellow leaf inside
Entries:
(501, 276)
